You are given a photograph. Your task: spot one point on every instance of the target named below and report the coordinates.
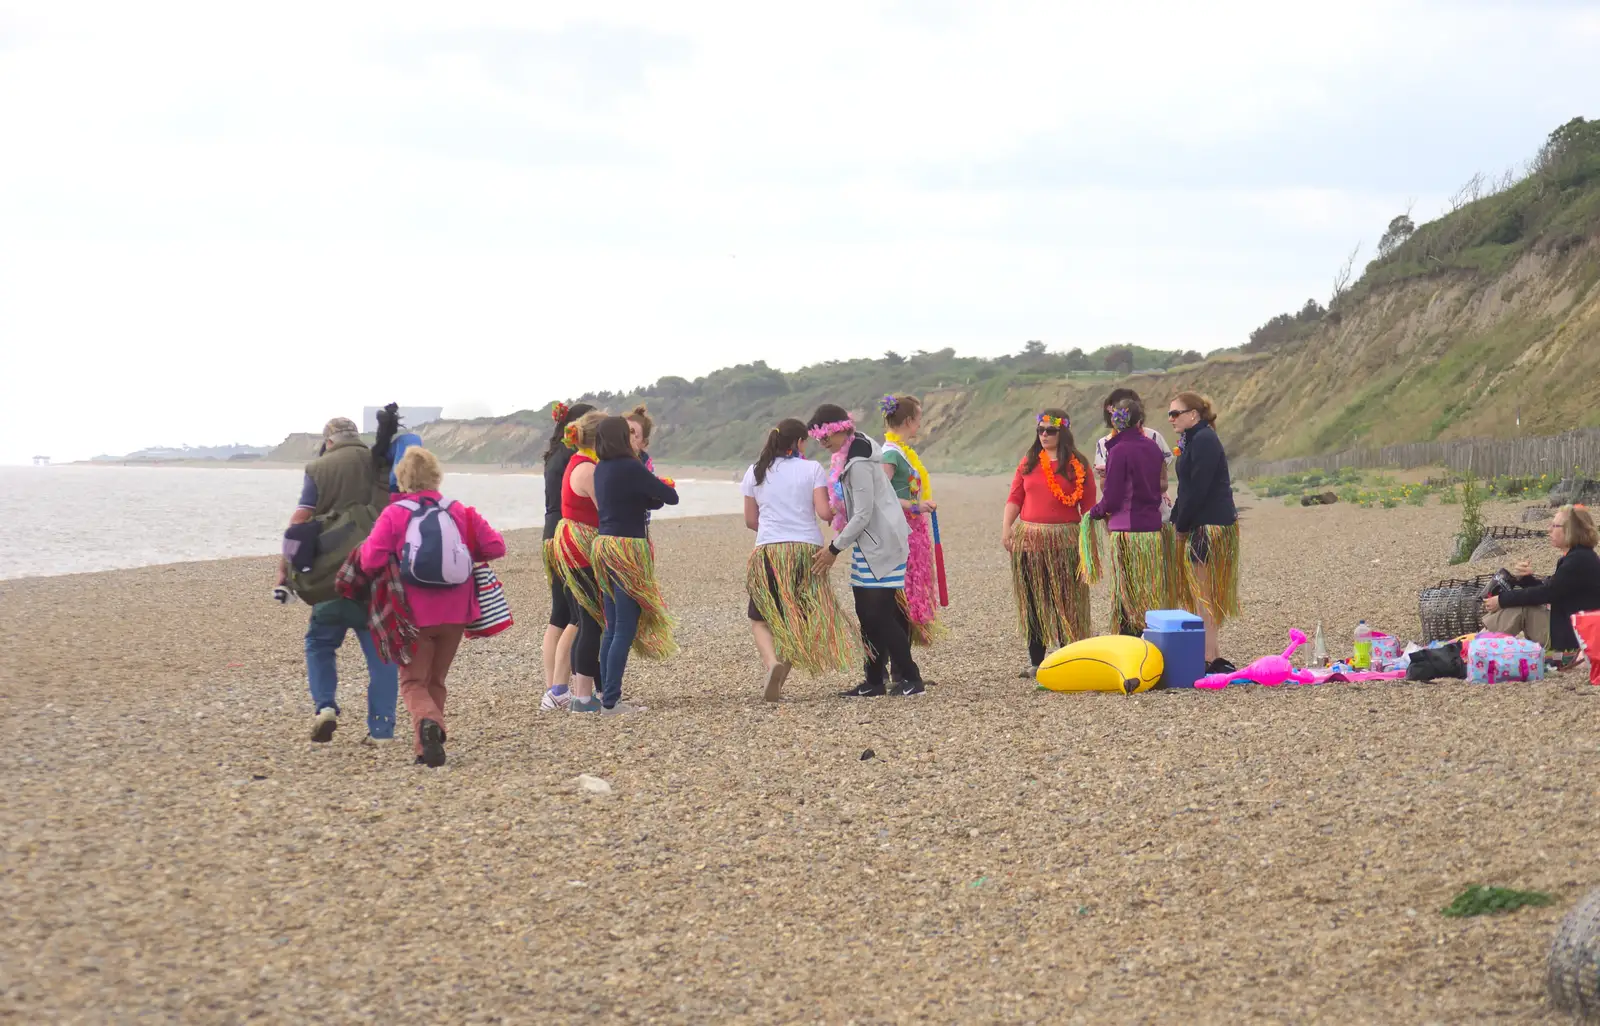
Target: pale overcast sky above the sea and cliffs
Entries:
(228, 222)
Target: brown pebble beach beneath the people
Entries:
(175, 849)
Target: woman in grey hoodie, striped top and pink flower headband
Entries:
(871, 526)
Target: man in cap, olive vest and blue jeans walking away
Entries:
(342, 494)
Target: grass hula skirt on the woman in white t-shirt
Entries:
(810, 630)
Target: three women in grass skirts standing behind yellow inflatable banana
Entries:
(1161, 553)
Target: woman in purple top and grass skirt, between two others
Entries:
(1132, 508)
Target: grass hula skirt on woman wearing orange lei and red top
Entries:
(1047, 583)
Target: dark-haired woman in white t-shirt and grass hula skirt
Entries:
(794, 615)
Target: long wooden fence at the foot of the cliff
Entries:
(1554, 455)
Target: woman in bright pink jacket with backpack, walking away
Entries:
(438, 542)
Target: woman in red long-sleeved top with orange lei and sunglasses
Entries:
(1052, 492)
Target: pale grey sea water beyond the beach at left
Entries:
(76, 519)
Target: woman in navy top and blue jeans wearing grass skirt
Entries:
(636, 612)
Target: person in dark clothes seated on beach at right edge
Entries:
(1574, 588)
